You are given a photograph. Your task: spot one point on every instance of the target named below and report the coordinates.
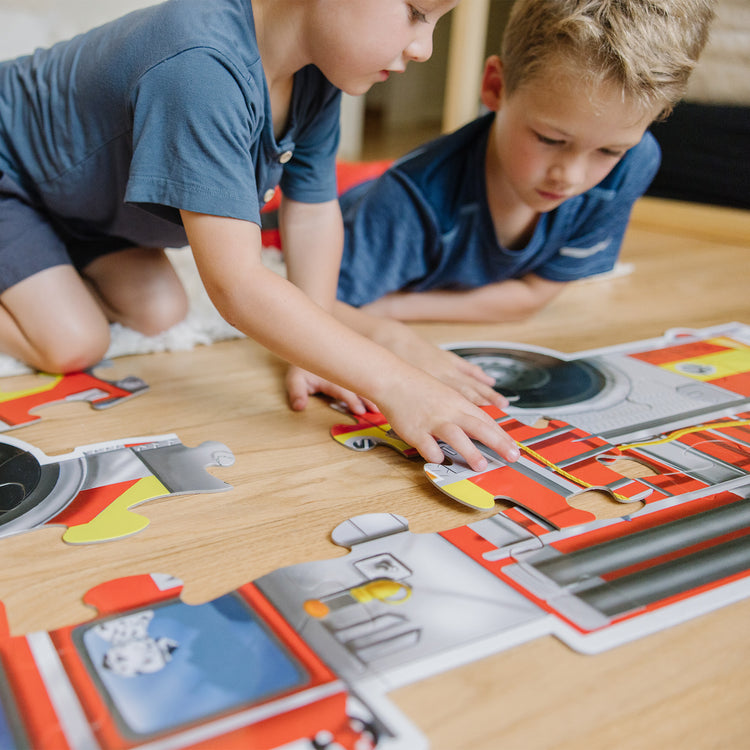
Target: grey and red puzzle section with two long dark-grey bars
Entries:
(401, 606)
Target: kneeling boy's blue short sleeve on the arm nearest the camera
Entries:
(195, 133)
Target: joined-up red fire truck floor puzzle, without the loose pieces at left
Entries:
(305, 656)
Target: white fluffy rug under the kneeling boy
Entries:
(203, 324)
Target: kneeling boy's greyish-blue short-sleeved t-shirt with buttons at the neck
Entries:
(114, 131)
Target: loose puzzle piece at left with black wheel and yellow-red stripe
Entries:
(93, 489)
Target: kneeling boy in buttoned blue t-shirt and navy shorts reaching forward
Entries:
(173, 125)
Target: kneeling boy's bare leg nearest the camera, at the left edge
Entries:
(51, 322)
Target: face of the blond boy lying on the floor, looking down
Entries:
(553, 140)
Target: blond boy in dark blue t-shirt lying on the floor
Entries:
(490, 222)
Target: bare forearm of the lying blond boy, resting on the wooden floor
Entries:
(500, 302)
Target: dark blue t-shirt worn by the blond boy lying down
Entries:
(426, 224)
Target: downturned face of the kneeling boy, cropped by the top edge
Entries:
(357, 43)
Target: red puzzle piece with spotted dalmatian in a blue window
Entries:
(152, 671)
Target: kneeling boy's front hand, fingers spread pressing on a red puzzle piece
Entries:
(440, 413)
